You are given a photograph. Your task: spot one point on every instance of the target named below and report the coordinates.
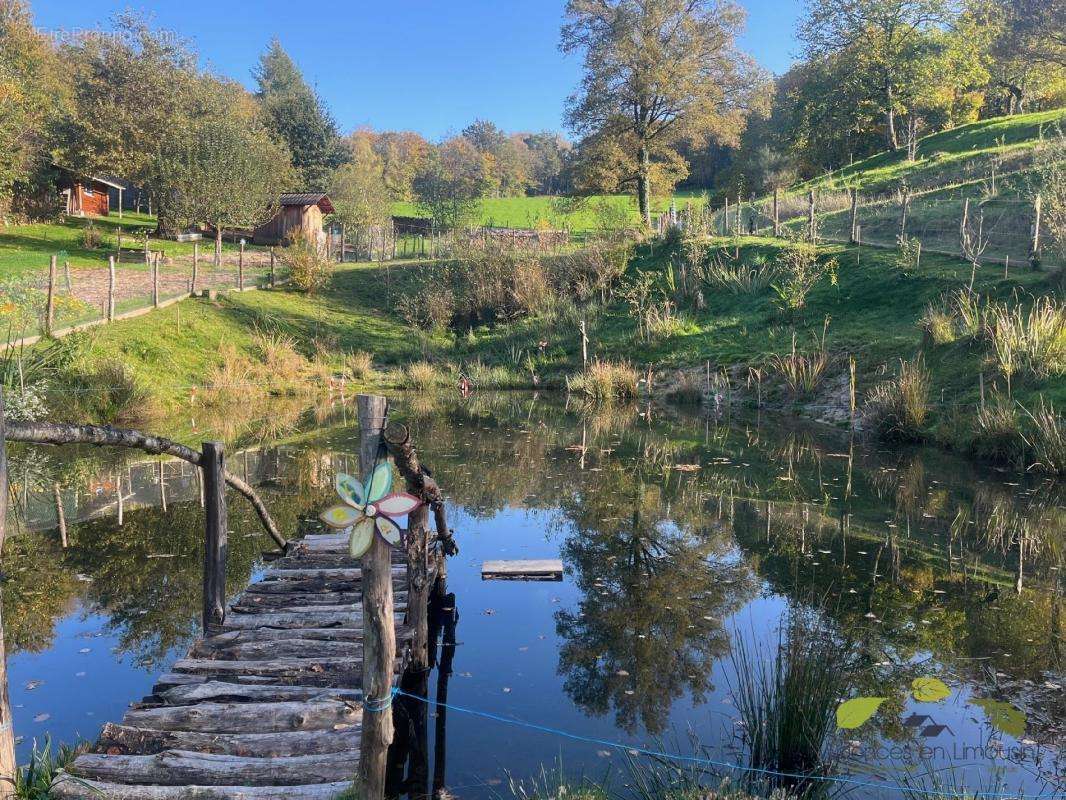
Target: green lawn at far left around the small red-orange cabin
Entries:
(26, 249)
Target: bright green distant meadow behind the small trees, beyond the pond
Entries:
(557, 213)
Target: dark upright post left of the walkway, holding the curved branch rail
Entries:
(216, 545)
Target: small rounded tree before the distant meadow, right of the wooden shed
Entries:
(451, 184)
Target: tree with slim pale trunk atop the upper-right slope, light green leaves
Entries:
(885, 38)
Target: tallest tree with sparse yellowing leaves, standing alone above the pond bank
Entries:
(656, 73)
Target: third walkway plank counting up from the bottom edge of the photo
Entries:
(125, 741)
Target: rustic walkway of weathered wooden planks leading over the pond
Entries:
(272, 708)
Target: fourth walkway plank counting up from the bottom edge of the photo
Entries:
(248, 717)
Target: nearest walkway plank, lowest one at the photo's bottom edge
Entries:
(68, 789)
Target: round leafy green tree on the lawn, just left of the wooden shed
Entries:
(234, 171)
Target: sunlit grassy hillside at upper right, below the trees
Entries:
(945, 157)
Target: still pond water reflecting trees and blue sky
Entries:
(696, 550)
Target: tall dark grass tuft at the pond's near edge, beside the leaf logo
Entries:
(787, 697)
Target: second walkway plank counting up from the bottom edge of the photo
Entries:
(188, 769)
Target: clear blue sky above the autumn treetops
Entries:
(425, 66)
